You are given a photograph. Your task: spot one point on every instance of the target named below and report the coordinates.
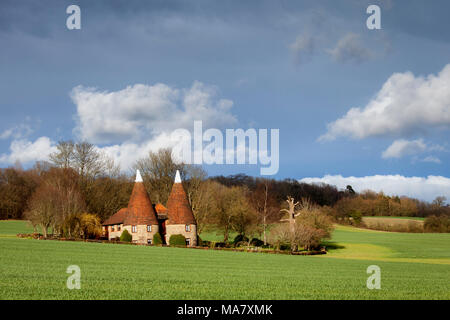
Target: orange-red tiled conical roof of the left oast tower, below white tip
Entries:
(140, 209)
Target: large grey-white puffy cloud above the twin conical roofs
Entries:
(141, 112)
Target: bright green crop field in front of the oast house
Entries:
(413, 266)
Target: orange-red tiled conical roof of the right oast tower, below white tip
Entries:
(178, 209)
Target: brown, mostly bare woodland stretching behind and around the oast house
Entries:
(80, 187)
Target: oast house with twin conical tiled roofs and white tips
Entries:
(143, 219)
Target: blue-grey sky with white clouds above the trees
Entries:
(370, 108)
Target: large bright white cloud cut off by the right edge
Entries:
(404, 104)
